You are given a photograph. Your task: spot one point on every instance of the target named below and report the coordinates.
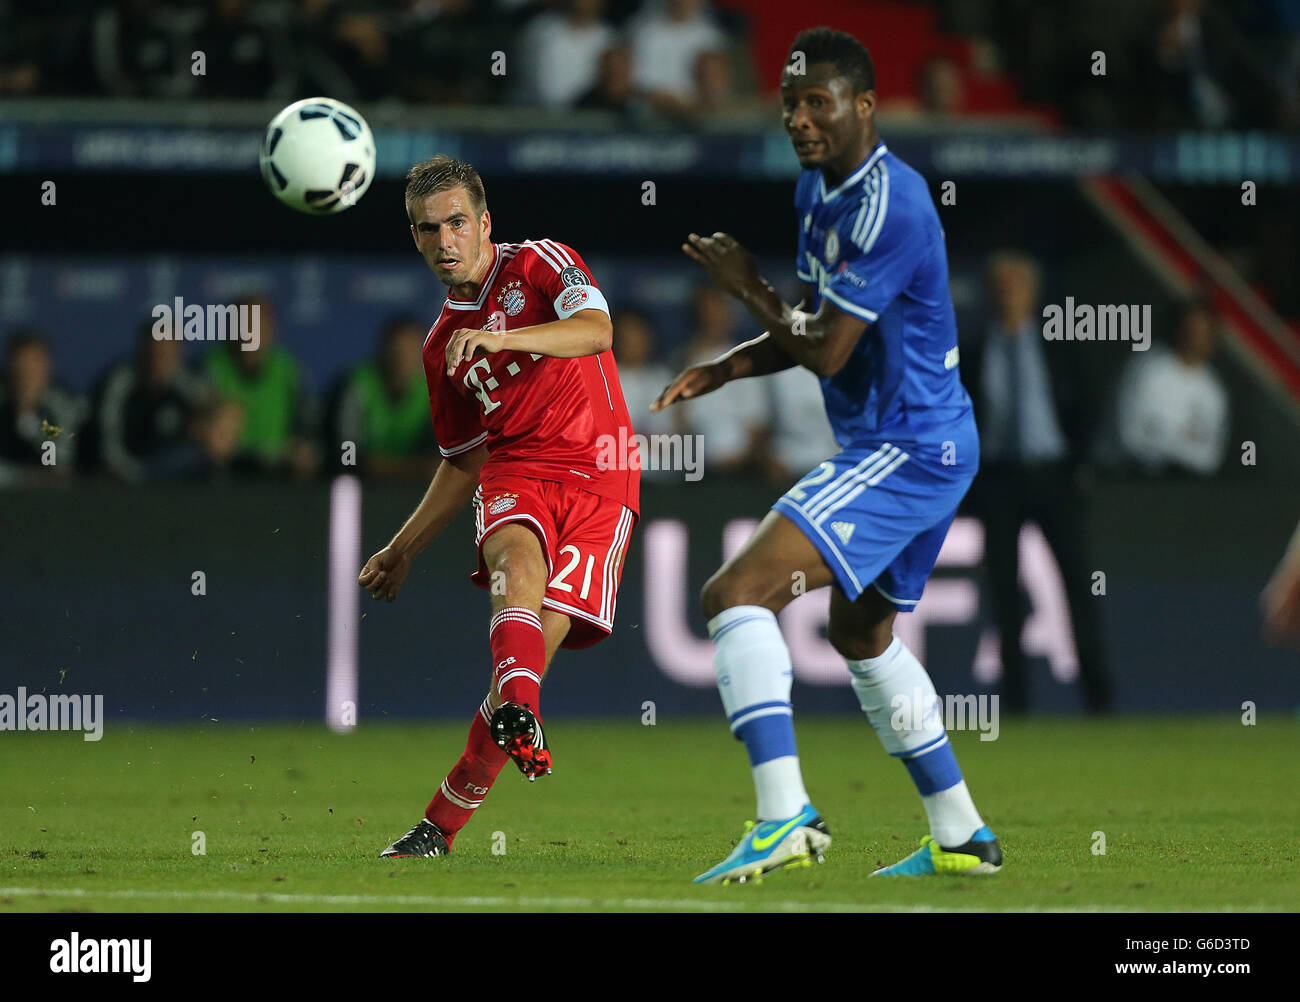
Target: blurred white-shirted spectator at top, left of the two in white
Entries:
(562, 54)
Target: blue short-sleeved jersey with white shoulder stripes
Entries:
(874, 249)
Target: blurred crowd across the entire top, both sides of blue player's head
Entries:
(1207, 64)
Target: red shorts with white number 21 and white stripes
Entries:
(584, 539)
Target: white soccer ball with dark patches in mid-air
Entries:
(318, 157)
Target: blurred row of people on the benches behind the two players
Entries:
(255, 414)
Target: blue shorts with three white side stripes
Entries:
(879, 518)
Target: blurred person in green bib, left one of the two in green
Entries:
(268, 384)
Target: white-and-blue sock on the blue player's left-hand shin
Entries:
(755, 675)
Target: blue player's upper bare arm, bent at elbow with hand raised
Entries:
(821, 341)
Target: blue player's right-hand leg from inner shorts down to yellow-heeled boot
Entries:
(899, 699)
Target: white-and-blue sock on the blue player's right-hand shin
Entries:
(900, 701)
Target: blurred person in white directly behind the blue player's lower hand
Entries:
(734, 419)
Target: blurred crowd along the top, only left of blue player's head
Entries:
(677, 57)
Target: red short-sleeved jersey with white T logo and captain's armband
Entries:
(543, 418)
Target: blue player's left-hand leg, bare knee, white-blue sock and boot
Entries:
(755, 675)
